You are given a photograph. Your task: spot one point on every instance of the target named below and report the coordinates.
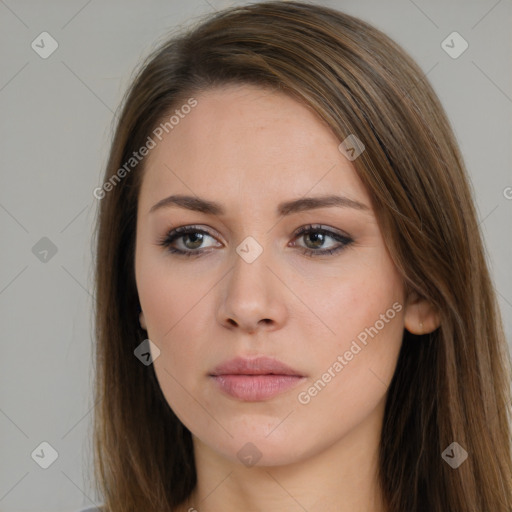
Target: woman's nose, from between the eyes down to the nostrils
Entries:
(253, 297)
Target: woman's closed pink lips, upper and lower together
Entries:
(255, 379)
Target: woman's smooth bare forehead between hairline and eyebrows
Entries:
(245, 140)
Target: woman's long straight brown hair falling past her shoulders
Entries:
(452, 385)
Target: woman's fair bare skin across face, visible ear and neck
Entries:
(250, 149)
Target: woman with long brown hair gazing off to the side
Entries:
(294, 311)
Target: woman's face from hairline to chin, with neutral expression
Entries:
(250, 285)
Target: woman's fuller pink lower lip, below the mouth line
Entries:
(253, 388)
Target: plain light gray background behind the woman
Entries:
(56, 116)
